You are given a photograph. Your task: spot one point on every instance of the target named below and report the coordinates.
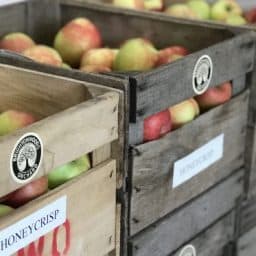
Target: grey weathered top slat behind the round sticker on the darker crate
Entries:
(161, 88)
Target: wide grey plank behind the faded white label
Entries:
(152, 194)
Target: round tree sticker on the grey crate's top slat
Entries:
(202, 74)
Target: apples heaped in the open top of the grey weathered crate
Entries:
(79, 45)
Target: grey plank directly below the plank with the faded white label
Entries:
(174, 230)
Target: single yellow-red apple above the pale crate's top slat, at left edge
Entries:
(12, 120)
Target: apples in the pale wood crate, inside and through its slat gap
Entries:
(12, 120)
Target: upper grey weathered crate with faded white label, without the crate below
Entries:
(149, 92)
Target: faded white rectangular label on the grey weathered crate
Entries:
(199, 160)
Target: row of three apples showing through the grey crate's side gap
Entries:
(164, 122)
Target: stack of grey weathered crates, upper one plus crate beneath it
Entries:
(162, 213)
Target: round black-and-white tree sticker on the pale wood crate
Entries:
(26, 157)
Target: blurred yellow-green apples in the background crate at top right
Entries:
(227, 11)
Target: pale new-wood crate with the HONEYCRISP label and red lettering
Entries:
(75, 118)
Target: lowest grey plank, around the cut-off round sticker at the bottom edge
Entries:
(213, 240)
